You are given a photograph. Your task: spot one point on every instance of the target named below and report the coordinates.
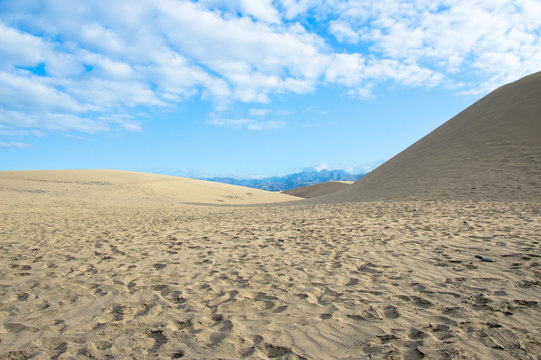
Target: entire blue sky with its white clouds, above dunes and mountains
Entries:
(246, 88)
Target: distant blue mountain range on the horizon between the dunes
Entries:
(290, 181)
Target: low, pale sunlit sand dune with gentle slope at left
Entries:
(109, 187)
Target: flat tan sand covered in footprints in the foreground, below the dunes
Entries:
(366, 280)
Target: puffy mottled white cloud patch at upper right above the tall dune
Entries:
(500, 41)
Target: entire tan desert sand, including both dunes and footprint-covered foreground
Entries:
(98, 264)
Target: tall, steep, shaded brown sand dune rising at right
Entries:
(490, 151)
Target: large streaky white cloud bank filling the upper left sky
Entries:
(158, 56)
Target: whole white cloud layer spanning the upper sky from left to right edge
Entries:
(81, 63)
